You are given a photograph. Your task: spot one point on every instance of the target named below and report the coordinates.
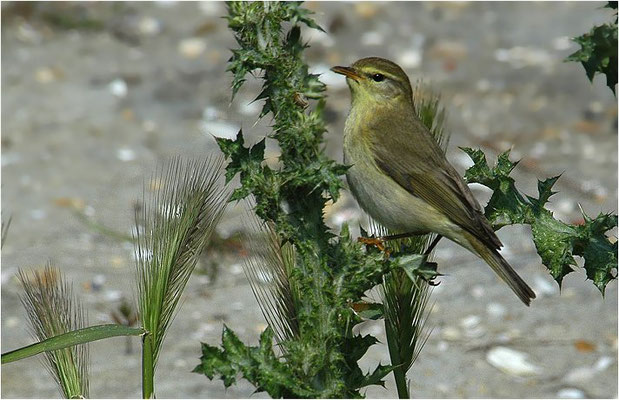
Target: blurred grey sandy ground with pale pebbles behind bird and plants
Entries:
(95, 96)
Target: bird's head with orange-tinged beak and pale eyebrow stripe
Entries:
(375, 80)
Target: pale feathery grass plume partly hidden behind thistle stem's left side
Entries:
(273, 262)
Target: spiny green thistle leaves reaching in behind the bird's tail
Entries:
(556, 242)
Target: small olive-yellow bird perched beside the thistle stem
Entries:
(399, 174)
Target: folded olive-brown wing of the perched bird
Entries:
(418, 164)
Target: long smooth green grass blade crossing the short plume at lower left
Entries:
(69, 339)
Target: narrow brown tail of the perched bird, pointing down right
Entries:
(503, 270)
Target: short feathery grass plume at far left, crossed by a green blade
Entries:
(53, 310)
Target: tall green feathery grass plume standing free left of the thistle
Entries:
(178, 222)
